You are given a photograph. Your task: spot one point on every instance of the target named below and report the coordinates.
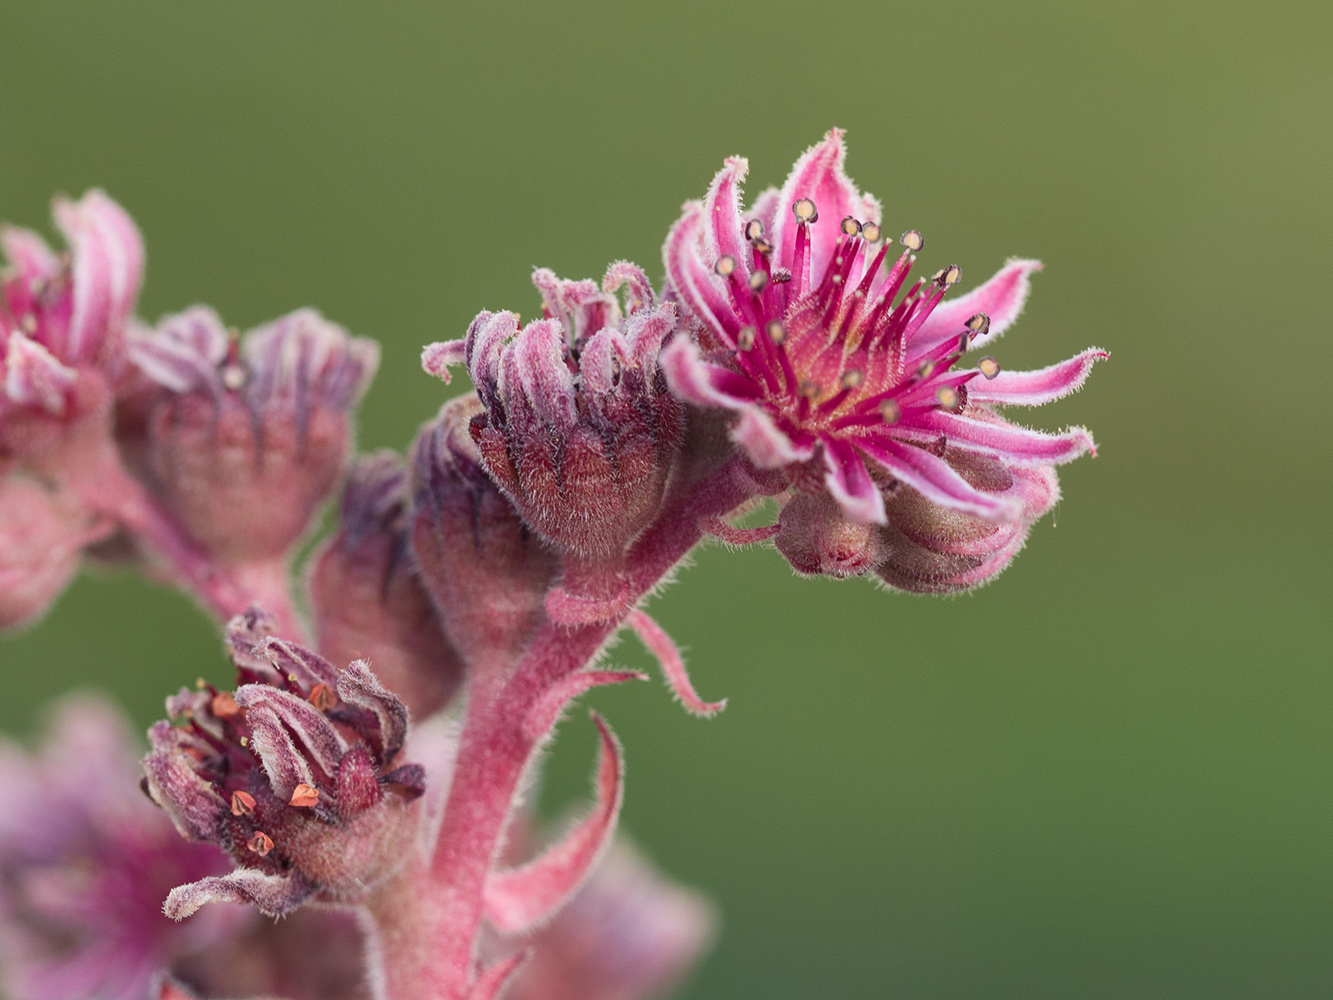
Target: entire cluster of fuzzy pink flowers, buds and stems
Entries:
(365, 777)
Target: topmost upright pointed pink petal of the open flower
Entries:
(819, 177)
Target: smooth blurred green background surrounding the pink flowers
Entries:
(1107, 775)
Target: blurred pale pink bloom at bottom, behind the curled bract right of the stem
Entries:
(630, 934)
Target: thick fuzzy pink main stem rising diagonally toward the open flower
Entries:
(433, 938)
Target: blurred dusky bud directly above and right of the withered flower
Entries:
(369, 599)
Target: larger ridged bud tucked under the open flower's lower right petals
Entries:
(938, 550)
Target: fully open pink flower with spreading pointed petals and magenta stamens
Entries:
(832, 375)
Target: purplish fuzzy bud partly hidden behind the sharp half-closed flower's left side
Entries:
(486, 571)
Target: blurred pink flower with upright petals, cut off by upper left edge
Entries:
(63, 326)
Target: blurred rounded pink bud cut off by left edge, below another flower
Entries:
(43, 533)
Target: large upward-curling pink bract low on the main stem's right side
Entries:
(522, 898)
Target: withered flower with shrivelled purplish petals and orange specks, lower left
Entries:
(297, 775)
